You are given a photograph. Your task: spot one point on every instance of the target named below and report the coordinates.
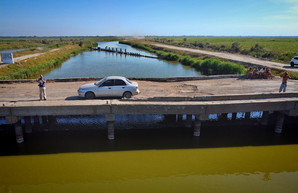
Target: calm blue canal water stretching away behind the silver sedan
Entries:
(101, 64)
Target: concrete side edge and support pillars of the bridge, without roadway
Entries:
(195, 109)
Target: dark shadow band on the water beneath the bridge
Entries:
(77, 136)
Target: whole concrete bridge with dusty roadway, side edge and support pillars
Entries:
(194, 97)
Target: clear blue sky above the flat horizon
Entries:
(148, 17)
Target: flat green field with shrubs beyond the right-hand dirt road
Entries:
(280, 49)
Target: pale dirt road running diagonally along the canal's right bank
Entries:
(234, 57)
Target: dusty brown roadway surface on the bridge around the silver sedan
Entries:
(224, 86)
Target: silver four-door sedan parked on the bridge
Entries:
(111, 86)
